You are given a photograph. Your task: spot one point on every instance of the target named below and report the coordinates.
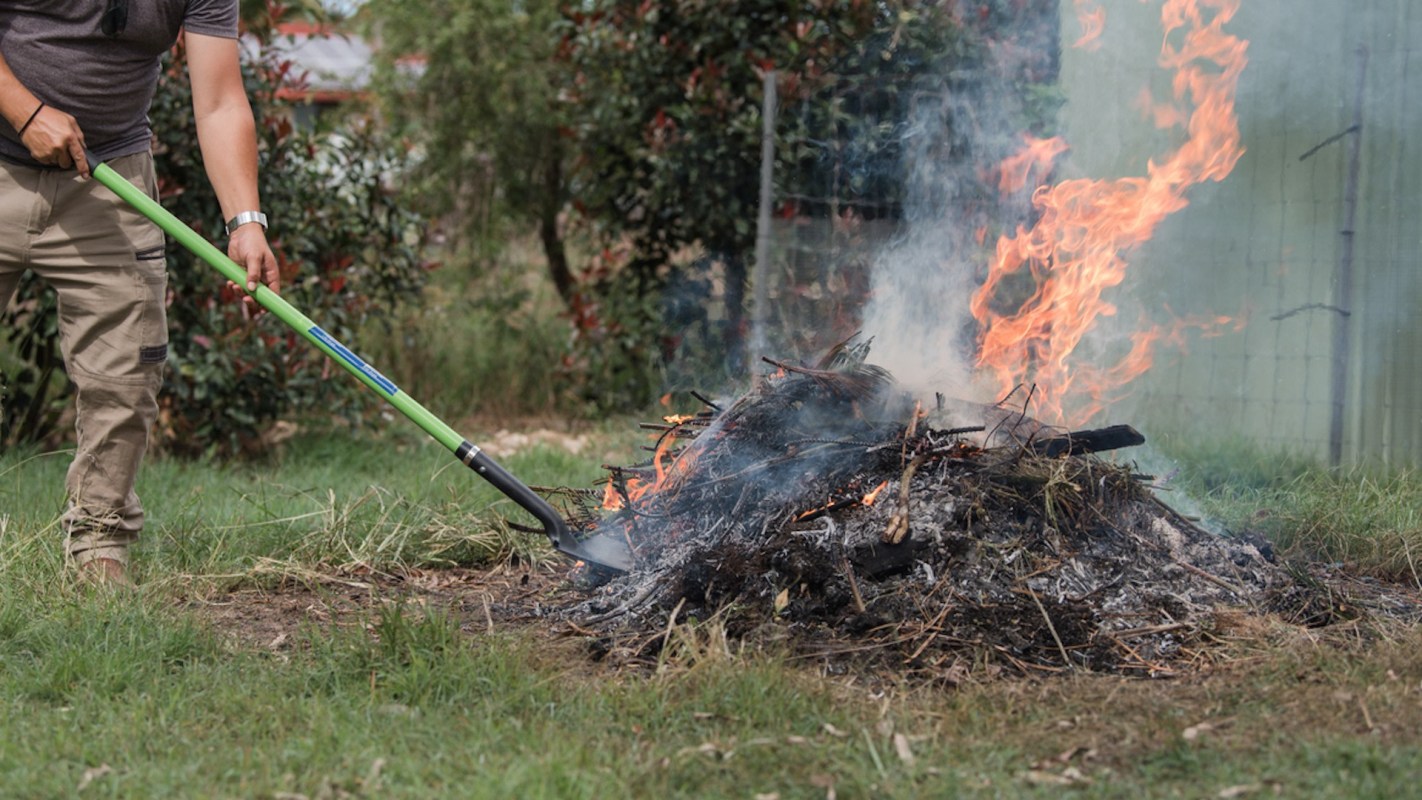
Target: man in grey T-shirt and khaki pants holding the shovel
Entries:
(80, 75)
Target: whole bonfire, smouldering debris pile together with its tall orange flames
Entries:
(831, 509)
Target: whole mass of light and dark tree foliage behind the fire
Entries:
(648, 119)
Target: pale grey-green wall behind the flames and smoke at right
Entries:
(1265, 247)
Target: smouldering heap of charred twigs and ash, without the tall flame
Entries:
(830, 509)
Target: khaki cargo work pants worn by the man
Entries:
(106, 262)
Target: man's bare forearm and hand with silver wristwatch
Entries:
(227, 134)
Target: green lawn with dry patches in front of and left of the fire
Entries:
(139, 696)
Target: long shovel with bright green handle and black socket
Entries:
(604, 551)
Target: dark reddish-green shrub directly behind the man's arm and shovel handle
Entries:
(346, 247)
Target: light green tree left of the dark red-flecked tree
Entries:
(474, 85)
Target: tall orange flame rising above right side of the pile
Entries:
(1074, 252)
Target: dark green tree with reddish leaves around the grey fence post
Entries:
(666, 106)
